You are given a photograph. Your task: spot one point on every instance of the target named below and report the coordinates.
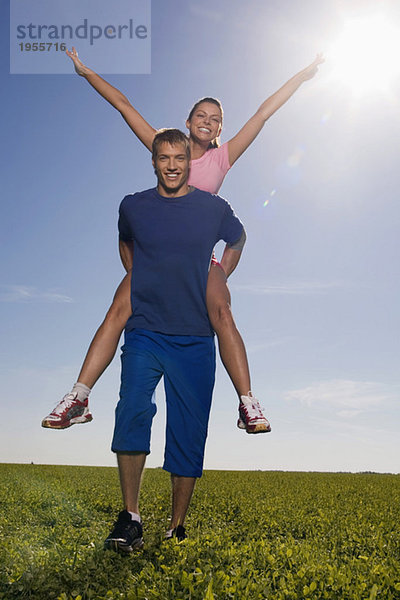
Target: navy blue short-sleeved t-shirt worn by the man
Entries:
(173, 243)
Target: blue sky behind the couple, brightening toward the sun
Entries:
(316, 293)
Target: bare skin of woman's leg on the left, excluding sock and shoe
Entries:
(105, 342)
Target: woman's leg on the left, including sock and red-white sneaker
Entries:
(74, 407)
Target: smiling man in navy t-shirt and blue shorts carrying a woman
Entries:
(174, 229)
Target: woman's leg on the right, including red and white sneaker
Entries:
(233, 351)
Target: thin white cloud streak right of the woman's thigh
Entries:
(291, 288)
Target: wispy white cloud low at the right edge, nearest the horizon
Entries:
(347, 396)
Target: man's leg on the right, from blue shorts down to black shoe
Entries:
(189, 381)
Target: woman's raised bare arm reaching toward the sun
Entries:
(242, 140)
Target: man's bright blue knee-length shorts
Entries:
(188, 366)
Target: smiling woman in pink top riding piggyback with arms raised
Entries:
(209, 164)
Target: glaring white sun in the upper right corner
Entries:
(365, 56)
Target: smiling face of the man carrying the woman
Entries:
(172, 169)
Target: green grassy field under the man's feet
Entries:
(252, 535)
